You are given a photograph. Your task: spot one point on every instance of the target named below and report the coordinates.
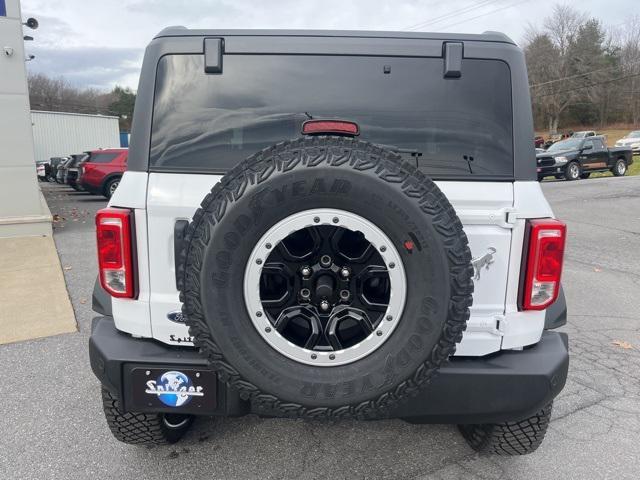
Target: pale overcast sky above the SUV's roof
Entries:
(97, 44)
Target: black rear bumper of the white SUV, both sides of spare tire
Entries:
(509, 385)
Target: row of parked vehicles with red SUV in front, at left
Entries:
(96, 171)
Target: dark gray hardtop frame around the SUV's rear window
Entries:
(487, 46)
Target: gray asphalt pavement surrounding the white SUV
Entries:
(52, 424)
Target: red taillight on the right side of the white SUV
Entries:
(544, 263)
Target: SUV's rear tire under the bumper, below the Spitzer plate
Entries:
(143, 428)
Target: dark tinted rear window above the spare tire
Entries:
(448, 127)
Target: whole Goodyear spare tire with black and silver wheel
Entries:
(325, 277)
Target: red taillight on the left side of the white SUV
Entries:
(114, 230)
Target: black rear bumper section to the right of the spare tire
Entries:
(505, 386)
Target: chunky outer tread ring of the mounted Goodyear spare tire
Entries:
(309, 153)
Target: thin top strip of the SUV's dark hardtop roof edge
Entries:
(179, 31)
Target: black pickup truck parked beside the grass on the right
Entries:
(576, 158)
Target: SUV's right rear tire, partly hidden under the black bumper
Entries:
(509, 438)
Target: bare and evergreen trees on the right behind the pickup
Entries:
(582, 74)
